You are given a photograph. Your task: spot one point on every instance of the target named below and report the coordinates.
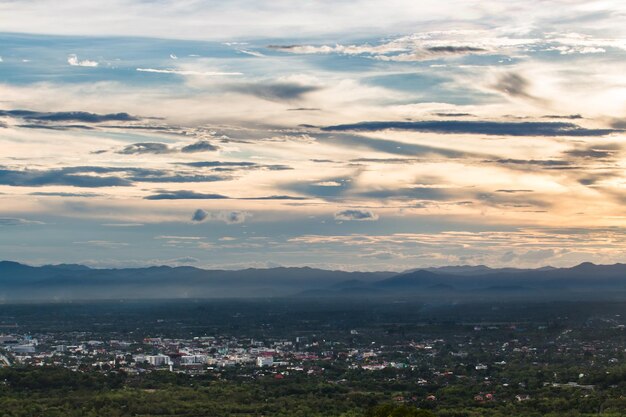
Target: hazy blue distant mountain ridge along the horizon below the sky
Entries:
(70, 281)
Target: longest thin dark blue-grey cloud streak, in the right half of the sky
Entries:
(478, 127)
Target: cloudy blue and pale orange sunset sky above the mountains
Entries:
(353, 135)
